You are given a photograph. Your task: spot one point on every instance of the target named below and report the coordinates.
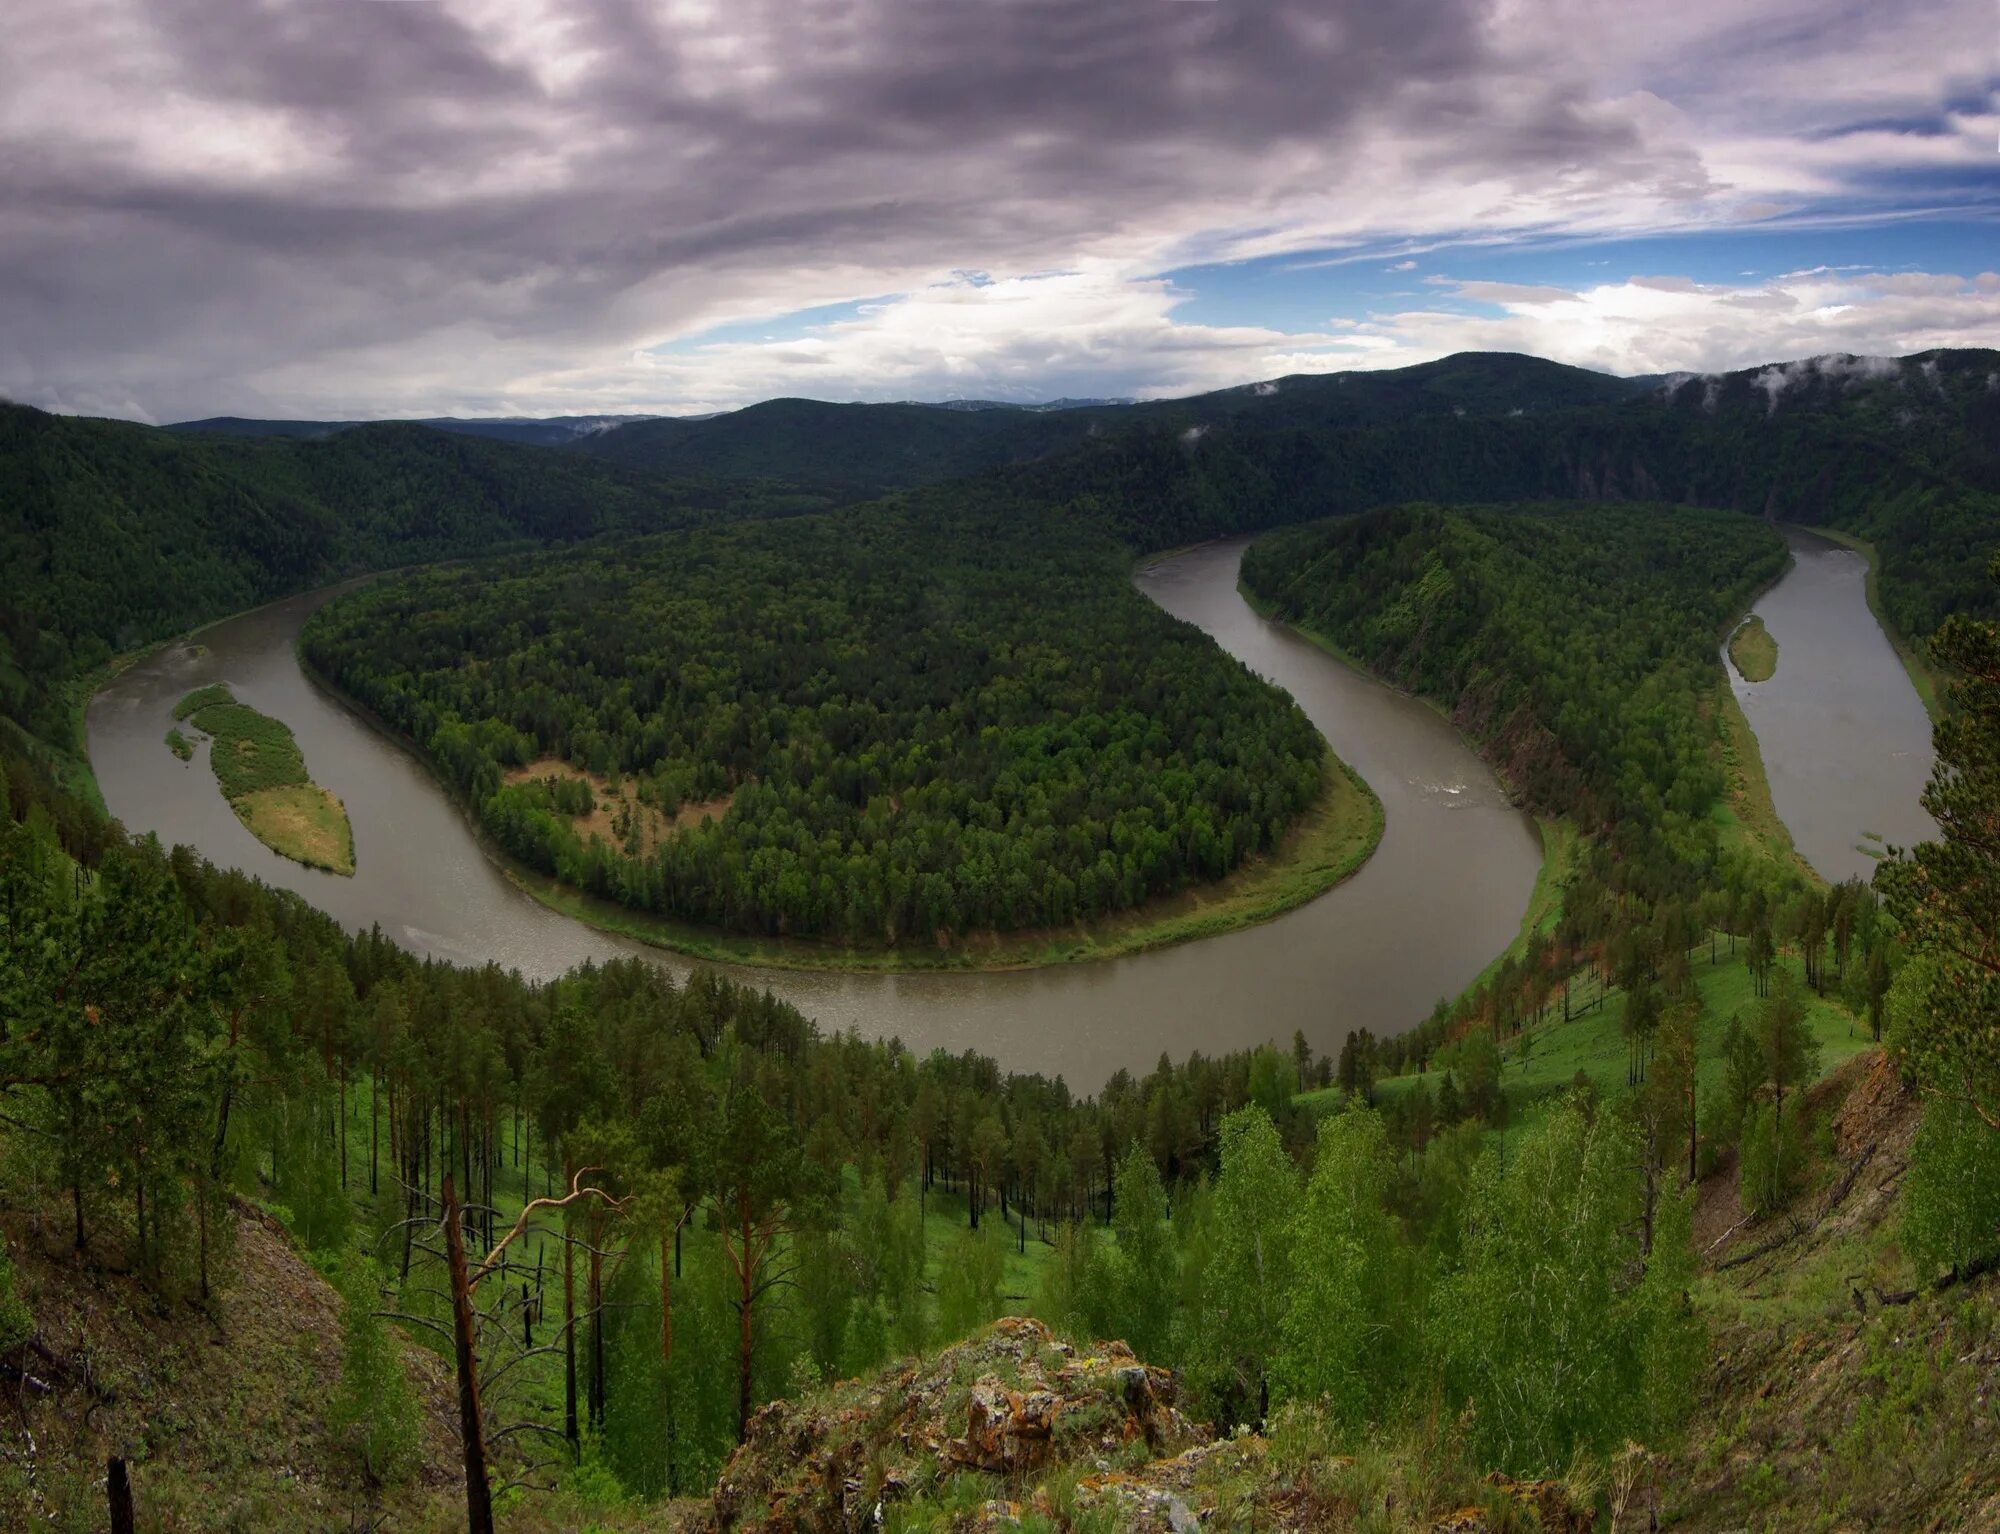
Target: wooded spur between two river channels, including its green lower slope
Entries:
(1579, 647)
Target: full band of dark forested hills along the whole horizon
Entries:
(119, 535)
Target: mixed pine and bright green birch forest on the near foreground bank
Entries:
(743, 1205)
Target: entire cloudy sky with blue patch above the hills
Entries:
(349, 209)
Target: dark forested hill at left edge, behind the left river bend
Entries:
(115, 535)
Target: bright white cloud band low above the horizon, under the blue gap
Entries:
(1097, 333)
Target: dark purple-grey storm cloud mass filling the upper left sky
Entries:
(201, 193)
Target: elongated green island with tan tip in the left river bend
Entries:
(263, 775)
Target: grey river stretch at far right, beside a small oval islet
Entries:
(1845, 737)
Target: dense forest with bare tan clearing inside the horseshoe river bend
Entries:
(903, 723)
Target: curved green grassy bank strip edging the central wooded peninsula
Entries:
(1329, 843)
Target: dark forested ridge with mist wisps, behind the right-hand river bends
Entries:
(1901, 453)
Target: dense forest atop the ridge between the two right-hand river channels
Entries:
(1575, 643)
